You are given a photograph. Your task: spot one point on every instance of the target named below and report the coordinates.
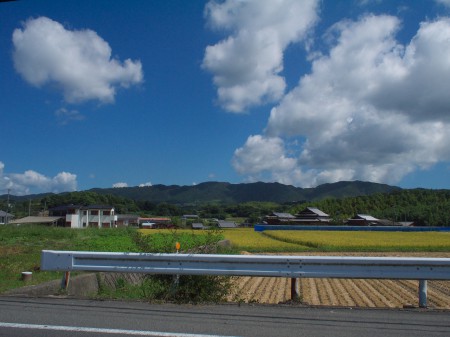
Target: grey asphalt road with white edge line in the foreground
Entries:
(73, 317)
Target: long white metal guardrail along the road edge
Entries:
(294, 267)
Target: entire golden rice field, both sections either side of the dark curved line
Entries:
(247, 239)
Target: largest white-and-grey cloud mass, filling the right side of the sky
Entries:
(371, 108)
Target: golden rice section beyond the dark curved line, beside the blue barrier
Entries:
(365, 241)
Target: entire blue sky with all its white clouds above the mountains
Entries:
(135, 93)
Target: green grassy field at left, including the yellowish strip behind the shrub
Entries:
(21, 246)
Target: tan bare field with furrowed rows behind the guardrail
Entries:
(345, 292)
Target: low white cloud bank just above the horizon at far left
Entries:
(33, 182)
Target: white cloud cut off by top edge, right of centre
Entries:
(246, 66)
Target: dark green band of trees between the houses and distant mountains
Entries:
(424, 207)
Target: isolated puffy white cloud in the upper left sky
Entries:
(78, 62)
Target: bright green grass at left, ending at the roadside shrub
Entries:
(21, 246)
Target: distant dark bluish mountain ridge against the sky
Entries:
(223, 192)
